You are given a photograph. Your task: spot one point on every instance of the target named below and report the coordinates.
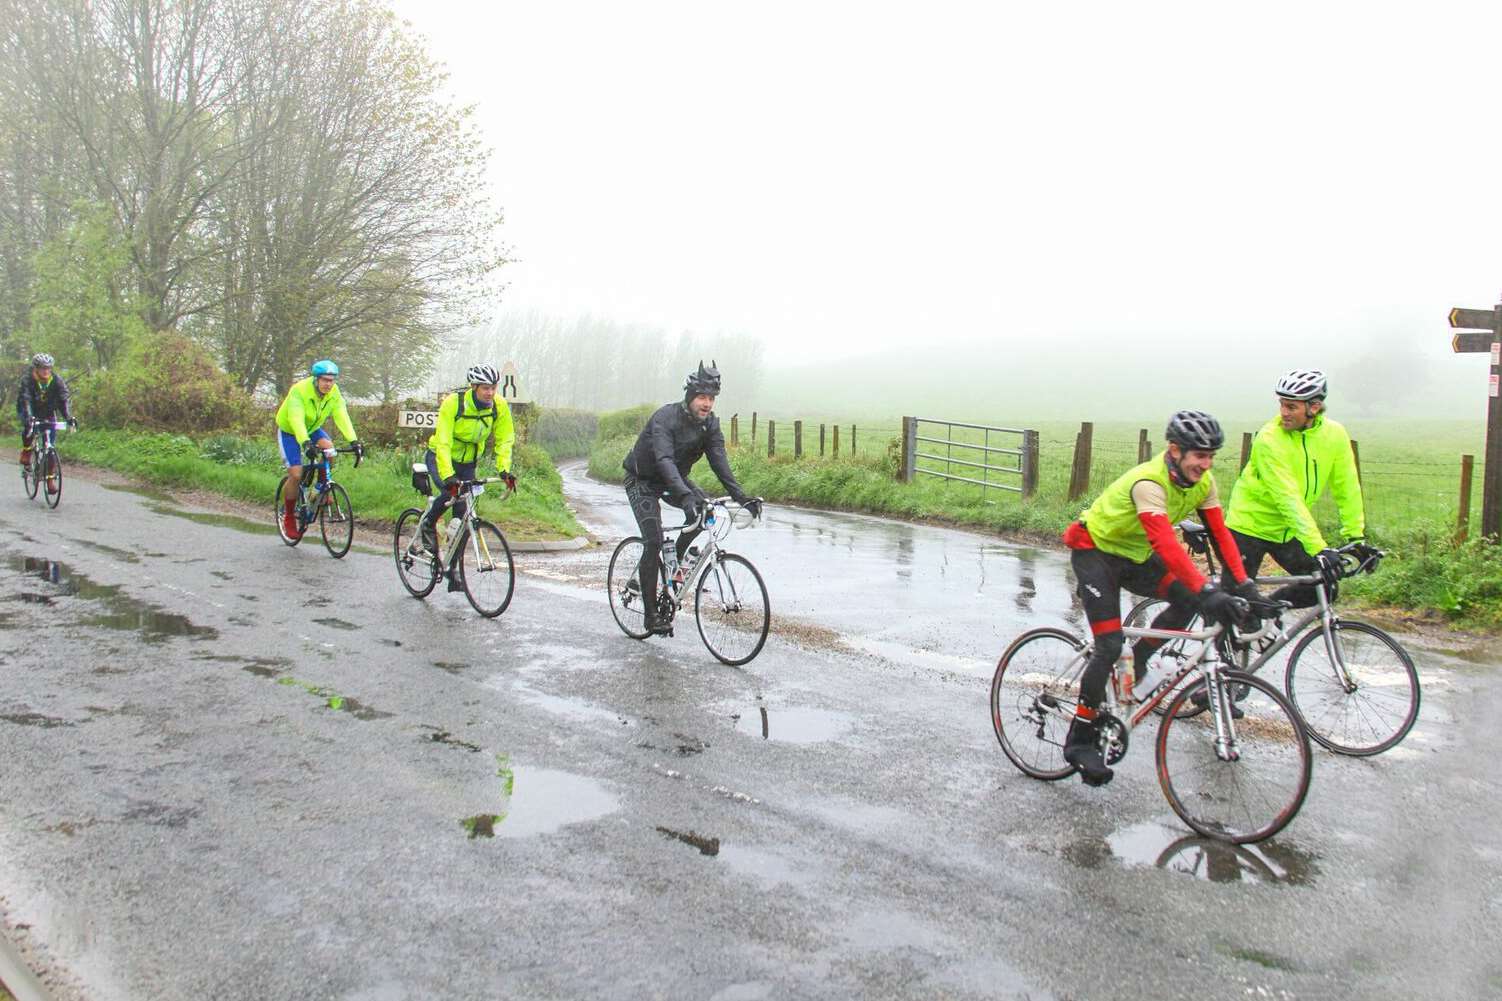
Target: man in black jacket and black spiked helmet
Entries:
(657, 468)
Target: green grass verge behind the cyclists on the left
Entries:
(250, 470)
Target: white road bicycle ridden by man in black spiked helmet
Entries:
(731, 603)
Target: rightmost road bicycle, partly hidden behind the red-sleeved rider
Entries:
(1353, 685)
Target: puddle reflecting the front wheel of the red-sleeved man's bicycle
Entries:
(1153, 844)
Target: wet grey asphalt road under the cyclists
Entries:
(235, 770)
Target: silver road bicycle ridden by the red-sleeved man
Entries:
(1235, 778)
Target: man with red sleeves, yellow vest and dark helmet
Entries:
(1126, 540)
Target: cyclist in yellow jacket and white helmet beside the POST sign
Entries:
(466, 420)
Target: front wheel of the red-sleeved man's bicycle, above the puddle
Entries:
(1255, 794)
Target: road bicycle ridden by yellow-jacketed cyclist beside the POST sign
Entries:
(474, 555)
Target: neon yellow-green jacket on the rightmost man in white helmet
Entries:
(1285, 477)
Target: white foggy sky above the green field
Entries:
(1084, 211)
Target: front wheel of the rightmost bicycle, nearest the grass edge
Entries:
(1380, 707)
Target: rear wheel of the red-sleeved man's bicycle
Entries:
(1034, 695)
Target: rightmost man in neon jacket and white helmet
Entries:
(1295, 458)
